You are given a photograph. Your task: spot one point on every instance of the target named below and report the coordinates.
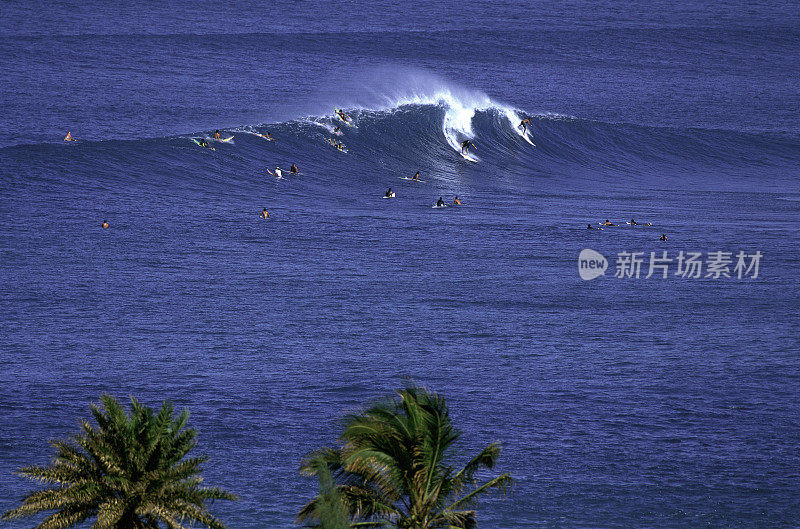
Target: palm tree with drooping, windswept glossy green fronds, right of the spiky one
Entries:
(393, 467)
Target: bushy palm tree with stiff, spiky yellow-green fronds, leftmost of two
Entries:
(130, 473)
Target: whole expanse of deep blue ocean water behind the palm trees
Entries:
(620, 402)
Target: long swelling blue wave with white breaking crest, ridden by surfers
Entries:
(419, 129)
